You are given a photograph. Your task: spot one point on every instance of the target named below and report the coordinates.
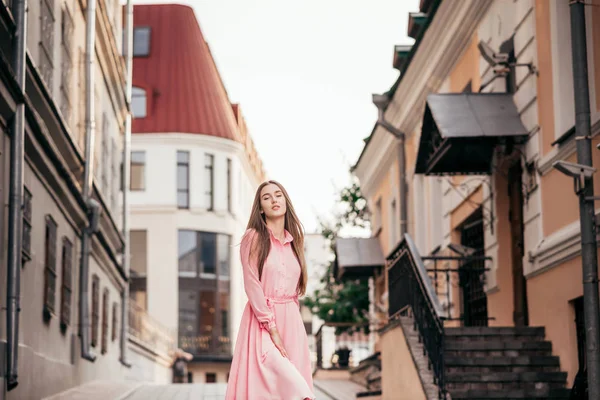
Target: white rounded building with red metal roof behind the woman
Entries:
(194, 171)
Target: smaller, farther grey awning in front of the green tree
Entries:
(357, 257)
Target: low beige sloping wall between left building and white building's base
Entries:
(149, 333)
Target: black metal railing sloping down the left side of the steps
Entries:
(410, 290)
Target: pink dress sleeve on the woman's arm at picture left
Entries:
(254, 291)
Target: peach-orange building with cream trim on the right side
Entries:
(485, 190)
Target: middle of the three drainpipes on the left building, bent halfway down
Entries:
(91, 205)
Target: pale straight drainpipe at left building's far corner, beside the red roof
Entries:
(126, 172)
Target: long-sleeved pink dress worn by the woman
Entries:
(258, 370)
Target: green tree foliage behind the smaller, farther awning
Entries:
(348, 301)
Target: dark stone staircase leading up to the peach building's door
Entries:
(502, 363)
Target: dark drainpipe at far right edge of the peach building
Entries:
(587, 218)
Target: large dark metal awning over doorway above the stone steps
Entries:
(460, 131)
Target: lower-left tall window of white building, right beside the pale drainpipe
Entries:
(137, 283)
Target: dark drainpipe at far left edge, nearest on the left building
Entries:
(15, 211)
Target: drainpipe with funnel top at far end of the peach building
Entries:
(381, 102)
